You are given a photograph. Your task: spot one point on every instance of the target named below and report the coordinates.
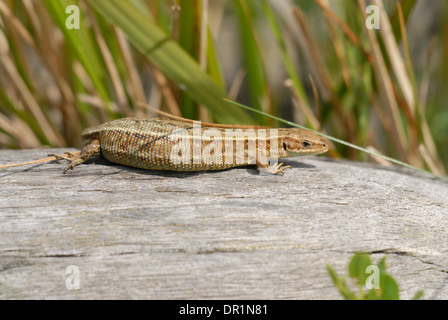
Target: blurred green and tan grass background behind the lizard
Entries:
(310, 61)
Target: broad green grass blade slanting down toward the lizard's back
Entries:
(170, 58)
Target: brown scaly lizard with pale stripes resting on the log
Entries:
(153, 143)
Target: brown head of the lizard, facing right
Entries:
(298, 142)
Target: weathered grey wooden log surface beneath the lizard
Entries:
(233, 234)
